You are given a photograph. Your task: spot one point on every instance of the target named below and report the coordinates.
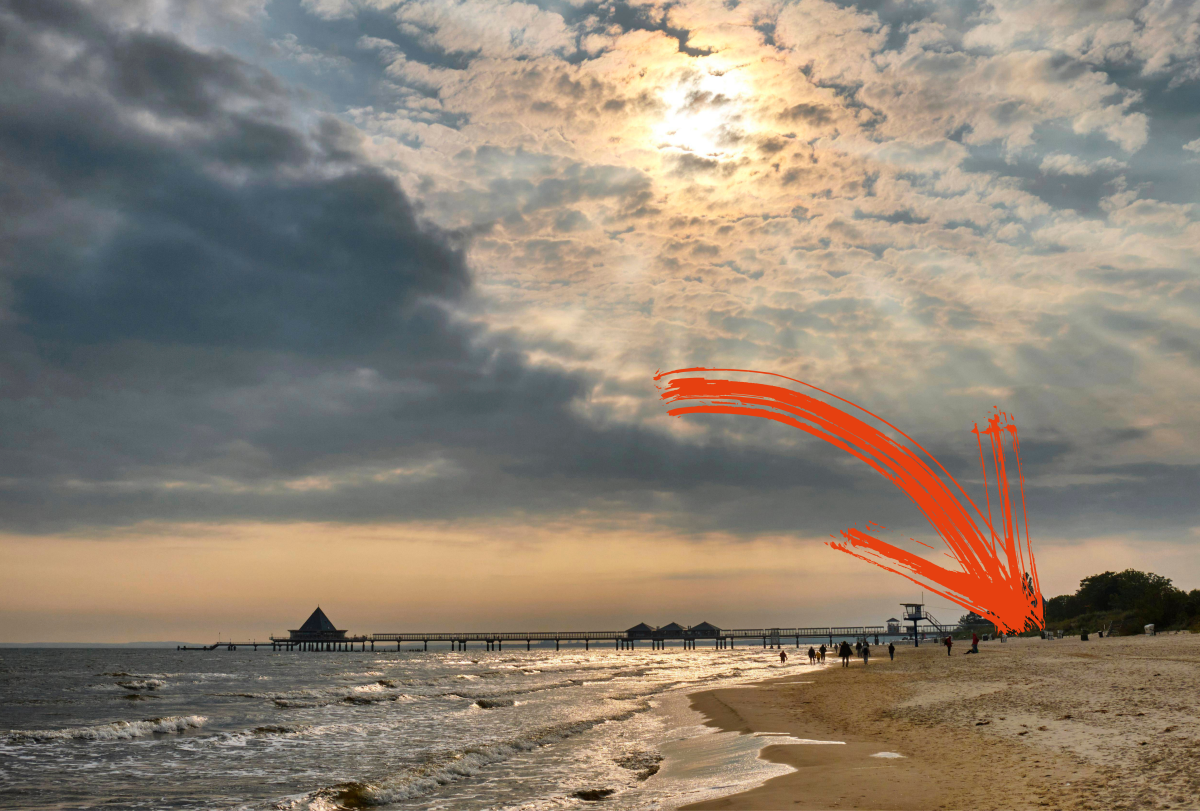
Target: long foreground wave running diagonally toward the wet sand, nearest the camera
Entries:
(449, 767)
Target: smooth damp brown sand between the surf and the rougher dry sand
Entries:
(943, 766)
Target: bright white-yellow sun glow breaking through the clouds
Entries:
(706, 115)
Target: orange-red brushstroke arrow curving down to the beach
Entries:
(998, 578)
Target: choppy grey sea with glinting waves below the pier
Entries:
(515, 730)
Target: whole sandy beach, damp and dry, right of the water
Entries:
(1029, 724)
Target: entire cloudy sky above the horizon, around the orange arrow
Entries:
(359, 303)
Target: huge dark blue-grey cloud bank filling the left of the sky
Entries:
(220, 310)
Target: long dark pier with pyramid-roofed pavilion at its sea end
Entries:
(320, 635)
